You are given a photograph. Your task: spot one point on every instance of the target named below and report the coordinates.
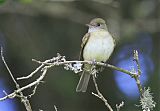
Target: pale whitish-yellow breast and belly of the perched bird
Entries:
(99, 46)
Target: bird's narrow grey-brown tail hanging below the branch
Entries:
(83, 82)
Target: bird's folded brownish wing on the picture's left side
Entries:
(84, 41)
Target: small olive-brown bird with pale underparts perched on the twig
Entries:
(97, 45)
